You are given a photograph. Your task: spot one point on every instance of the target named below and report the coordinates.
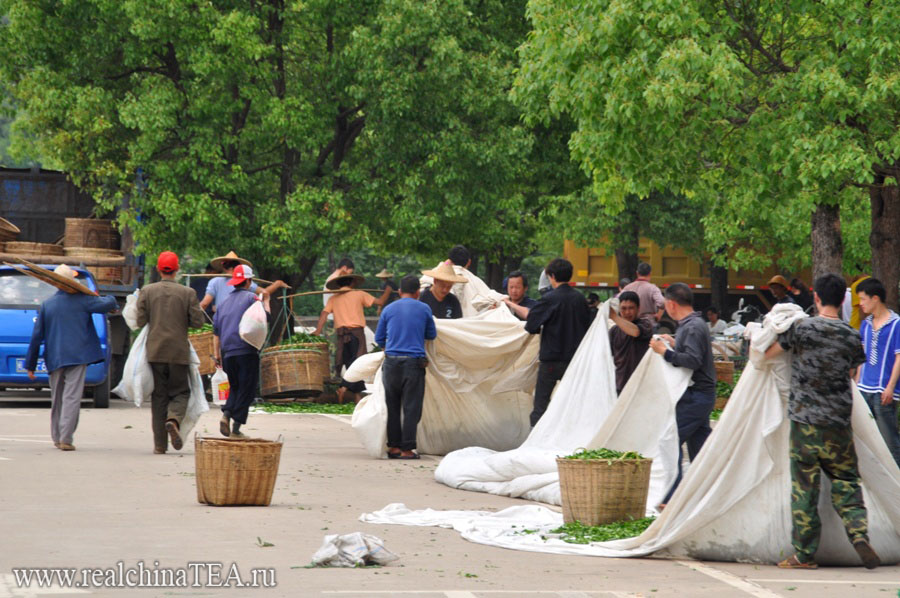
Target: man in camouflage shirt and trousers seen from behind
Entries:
(825, 353)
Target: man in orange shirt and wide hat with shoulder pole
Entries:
(348, 305)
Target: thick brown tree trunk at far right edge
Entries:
(885, 238)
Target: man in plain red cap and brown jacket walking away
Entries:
(170, 309)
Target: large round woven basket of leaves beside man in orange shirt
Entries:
(297, 372)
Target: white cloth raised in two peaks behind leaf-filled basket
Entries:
(584, 412)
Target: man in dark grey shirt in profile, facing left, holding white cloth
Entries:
(692, 350)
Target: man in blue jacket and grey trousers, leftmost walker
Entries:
(65, 327)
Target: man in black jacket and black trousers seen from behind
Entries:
(562, 317)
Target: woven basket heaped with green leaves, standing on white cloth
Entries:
(598, 491)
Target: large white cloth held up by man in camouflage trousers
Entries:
(734, 502)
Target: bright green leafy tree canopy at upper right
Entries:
(760, 110)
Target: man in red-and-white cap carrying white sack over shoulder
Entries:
(239, 359)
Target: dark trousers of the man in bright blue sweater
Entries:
(404, 391)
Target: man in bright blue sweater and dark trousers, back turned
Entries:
(404, 327)
